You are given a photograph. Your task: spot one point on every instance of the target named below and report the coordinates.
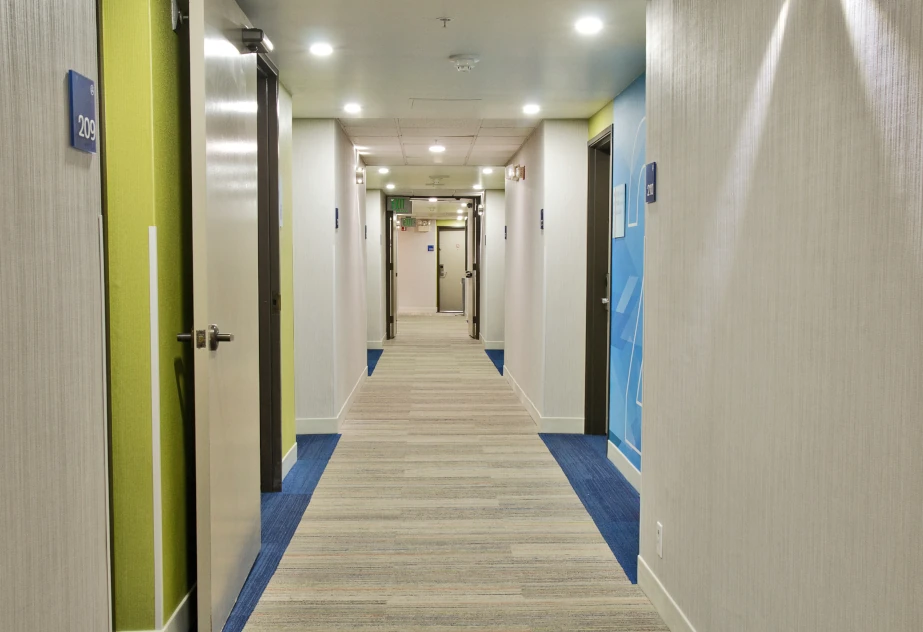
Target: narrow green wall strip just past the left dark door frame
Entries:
(286, 274)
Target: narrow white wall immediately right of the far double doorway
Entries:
(493, 269)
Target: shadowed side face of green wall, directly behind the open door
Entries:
(173, 218)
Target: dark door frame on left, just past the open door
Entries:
(270, 298)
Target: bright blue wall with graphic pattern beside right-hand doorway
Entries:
(626, 355)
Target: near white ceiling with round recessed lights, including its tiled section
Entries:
(391, 56)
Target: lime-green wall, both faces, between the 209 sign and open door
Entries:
(143, 92)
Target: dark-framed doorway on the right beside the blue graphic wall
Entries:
(599, 243)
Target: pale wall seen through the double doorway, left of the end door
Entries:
(416, 270)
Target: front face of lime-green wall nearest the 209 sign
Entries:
(129, 190)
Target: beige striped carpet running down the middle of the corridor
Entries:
(442, 509)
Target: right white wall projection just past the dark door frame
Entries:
(546, 276)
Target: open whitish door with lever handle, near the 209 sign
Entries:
(224, 226)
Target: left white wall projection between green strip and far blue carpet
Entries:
(329, 274)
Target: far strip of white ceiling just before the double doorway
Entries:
(434, 180)
